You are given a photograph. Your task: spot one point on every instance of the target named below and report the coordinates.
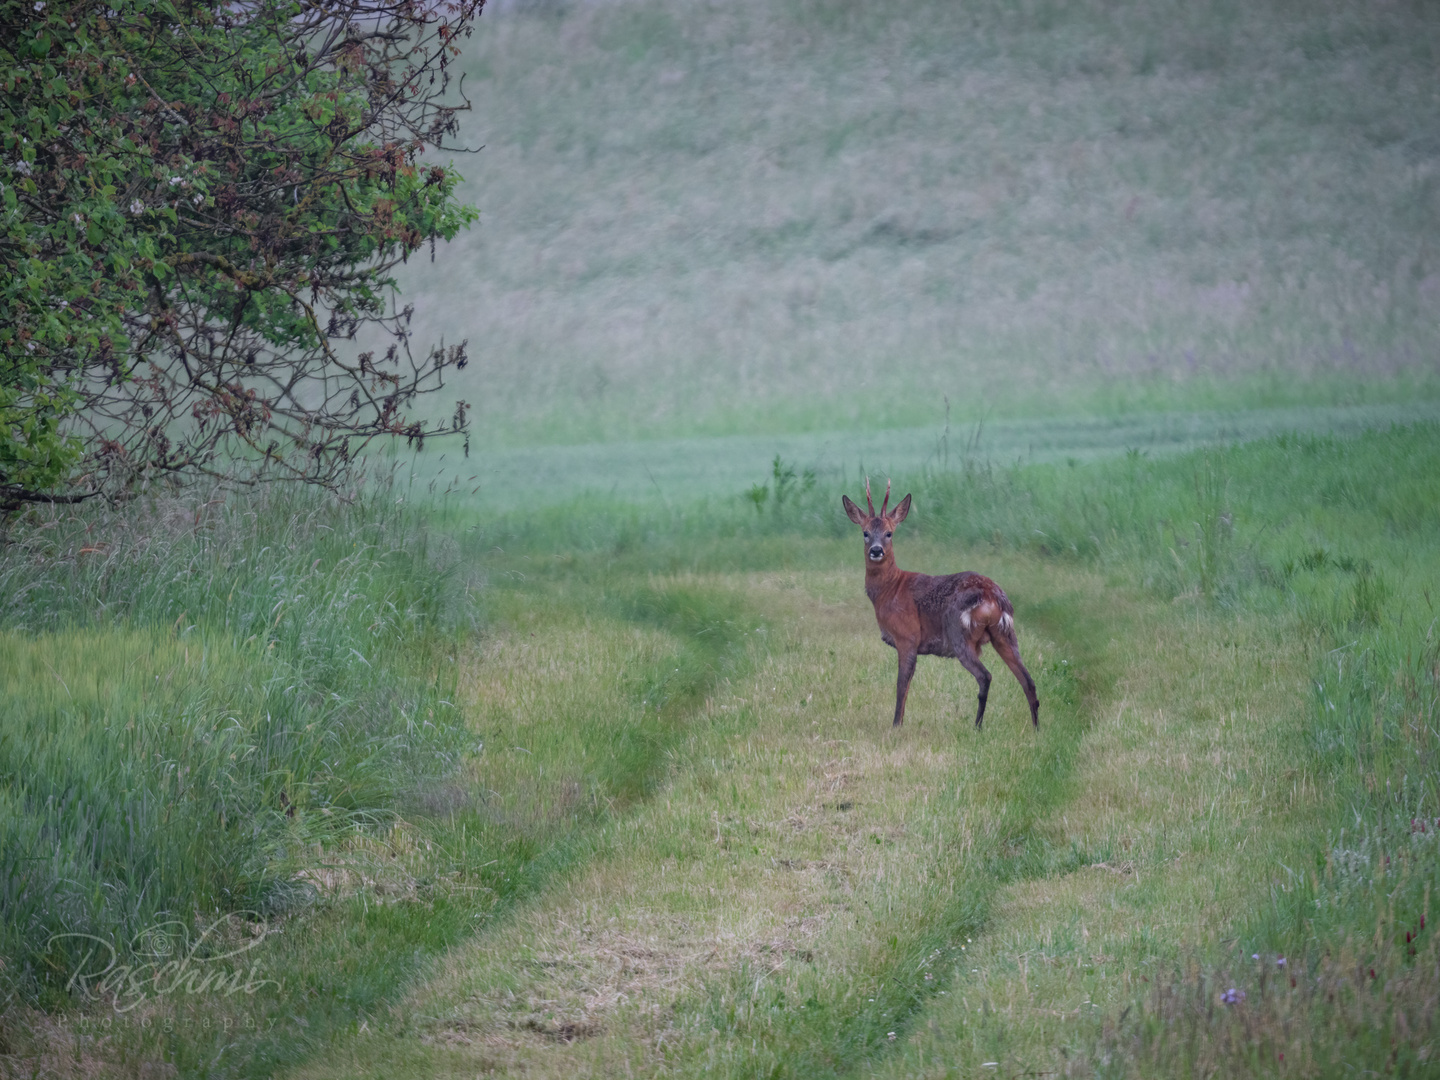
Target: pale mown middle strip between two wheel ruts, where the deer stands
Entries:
(748, 881)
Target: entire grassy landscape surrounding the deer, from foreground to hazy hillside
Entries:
(574, 757)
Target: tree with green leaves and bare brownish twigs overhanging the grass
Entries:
(201, 208)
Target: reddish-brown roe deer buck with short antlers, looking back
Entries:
(935, 617)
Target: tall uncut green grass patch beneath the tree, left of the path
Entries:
(189, 698)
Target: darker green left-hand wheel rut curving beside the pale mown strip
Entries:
(447, 873)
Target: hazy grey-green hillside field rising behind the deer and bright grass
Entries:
(773, 218)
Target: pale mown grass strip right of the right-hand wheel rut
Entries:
(1187, 801)
